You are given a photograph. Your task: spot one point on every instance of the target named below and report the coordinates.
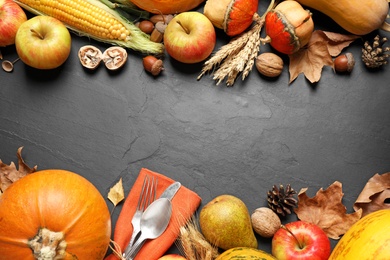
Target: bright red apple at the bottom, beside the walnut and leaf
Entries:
(301, 240)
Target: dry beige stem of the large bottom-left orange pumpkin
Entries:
(48, 245)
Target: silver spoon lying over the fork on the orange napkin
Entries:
(154, 221)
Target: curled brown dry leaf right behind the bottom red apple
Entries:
(326, 210)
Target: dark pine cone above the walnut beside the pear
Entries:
(281, 200)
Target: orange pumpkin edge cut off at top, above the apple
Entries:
(167, 6)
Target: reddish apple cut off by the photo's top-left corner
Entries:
(11, 17)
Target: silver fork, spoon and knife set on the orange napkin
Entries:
(152, 215)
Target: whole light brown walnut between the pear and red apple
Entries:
(265, 222)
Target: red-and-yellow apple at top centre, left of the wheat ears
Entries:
(189, 37)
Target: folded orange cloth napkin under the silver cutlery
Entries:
(184, 205)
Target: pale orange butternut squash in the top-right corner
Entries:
(356, 16)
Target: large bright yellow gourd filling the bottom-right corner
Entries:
(368, 238)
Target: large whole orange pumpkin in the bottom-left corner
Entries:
(56, 212)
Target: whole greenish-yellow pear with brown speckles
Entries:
(226, 223)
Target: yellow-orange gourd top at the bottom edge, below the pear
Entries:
(244, 253)
